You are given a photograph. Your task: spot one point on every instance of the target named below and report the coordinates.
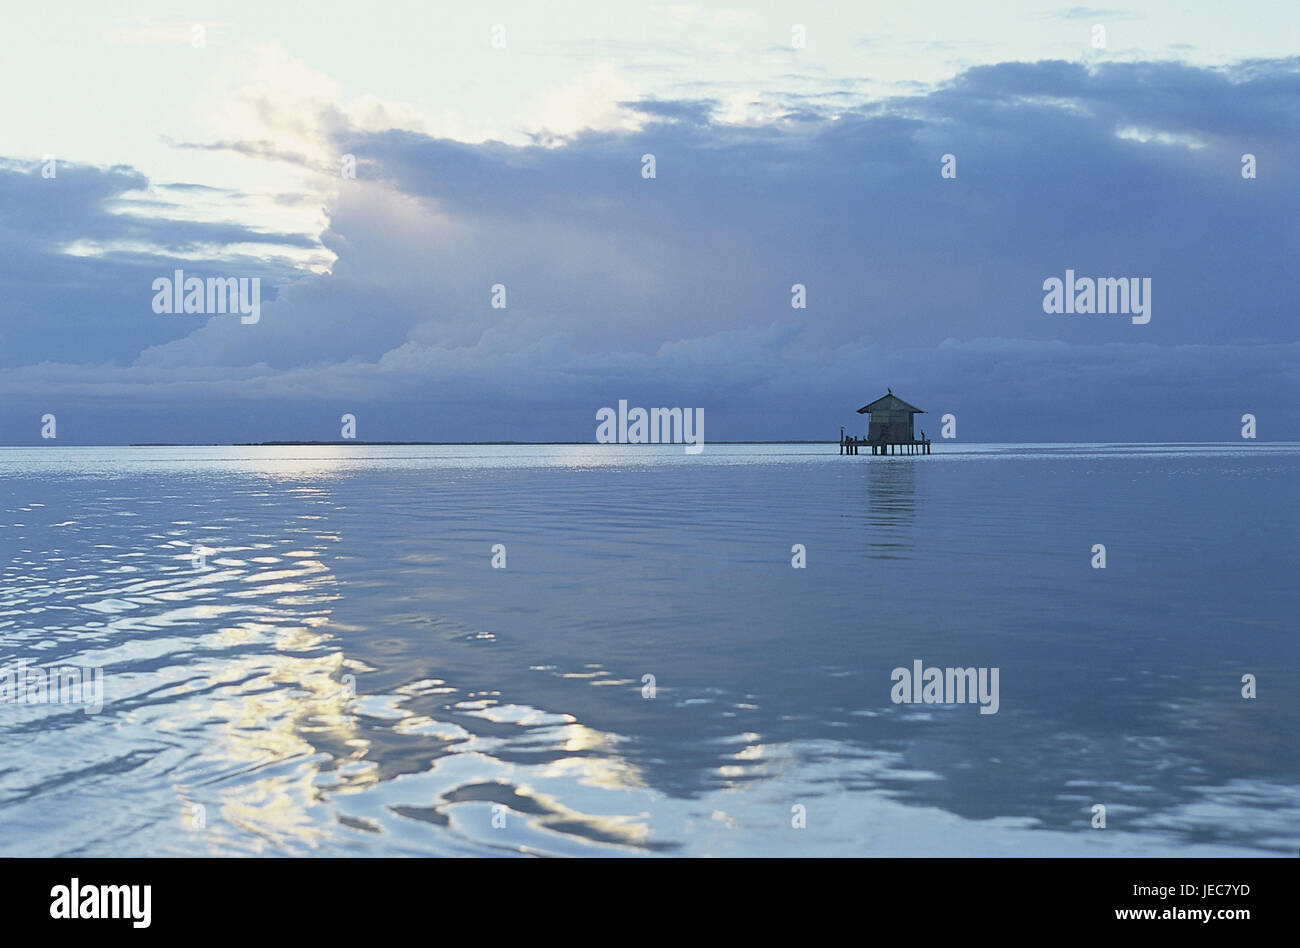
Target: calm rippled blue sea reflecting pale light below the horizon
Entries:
(343, 670)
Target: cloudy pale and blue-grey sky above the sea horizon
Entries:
(502, 146)
